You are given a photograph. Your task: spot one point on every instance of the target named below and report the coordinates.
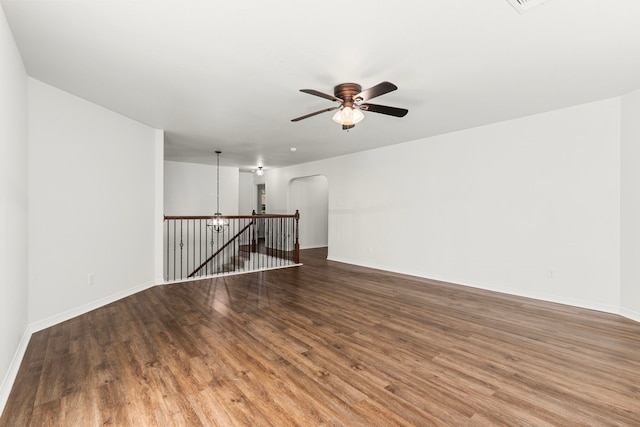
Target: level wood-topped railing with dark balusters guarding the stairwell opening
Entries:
(246, 243)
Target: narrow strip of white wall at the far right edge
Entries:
(630, 184)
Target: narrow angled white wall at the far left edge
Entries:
(13, 210)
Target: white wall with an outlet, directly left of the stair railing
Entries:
(92, 205)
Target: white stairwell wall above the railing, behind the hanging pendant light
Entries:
(190, 189)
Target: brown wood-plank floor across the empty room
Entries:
(329, 344)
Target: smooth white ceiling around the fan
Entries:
(225, 75)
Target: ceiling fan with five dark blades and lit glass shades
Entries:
(353, 100)
